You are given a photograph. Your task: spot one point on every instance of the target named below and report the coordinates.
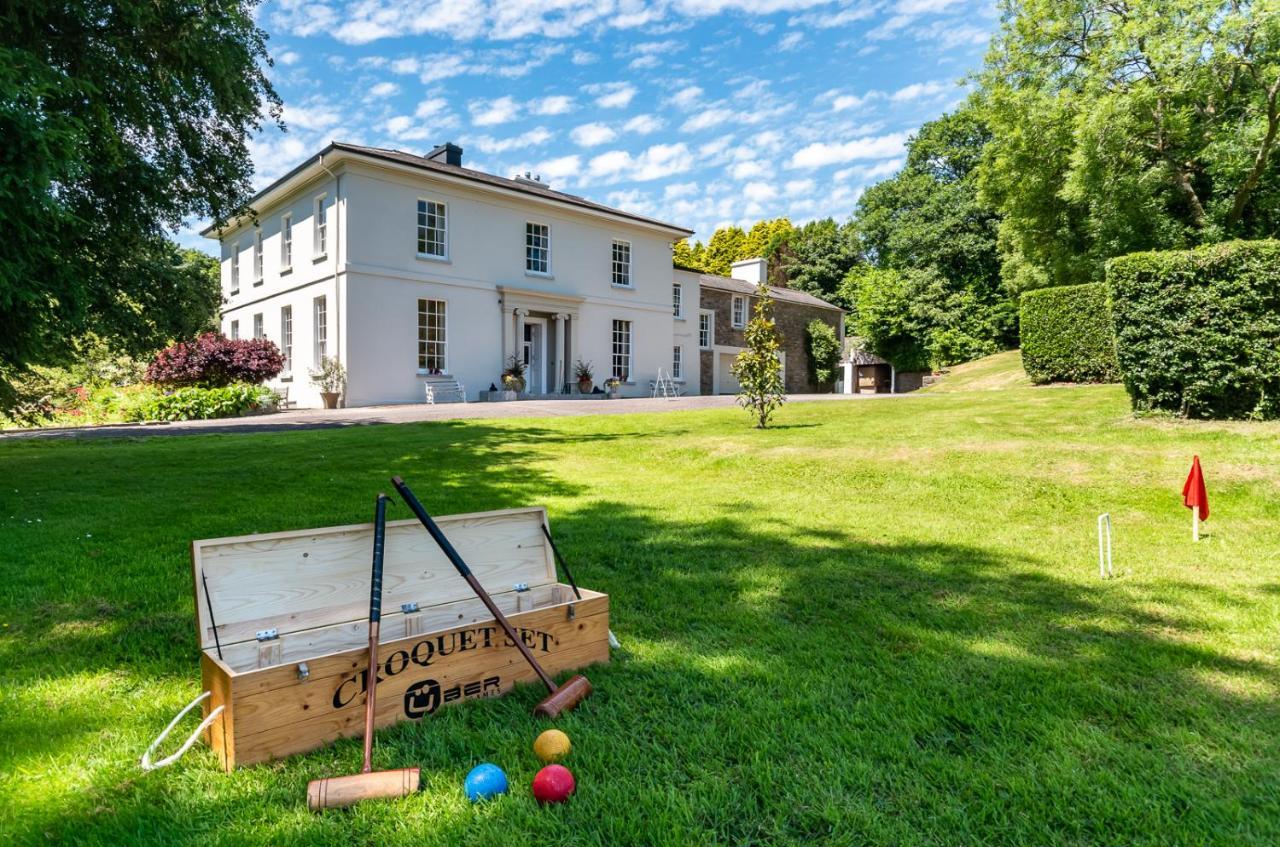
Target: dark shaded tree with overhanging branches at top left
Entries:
(121, 121)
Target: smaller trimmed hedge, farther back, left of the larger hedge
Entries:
(1067, 335)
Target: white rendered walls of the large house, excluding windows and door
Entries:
(373, 280)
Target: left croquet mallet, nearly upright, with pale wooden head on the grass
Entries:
(336, 793)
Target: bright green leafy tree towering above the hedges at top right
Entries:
(1119, 127)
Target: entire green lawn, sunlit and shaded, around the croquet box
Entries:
(879, 622)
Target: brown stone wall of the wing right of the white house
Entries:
(792, 321)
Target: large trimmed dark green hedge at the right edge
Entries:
(1199, 331)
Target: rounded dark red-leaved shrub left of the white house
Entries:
(216, 360)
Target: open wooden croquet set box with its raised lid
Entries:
(292, 612)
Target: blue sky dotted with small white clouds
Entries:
(698, 112)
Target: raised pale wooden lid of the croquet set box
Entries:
(305, 579)
